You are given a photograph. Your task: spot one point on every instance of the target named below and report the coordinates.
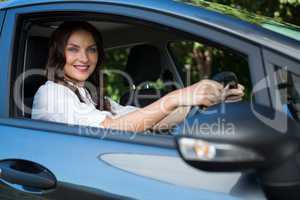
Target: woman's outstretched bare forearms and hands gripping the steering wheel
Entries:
(205, 92)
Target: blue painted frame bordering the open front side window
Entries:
(140, 15)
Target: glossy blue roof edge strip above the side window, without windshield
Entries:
(248, 31)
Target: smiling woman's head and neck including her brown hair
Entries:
(75, 51)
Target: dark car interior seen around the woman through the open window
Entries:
(149, 58)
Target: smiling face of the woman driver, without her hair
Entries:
(81, 56)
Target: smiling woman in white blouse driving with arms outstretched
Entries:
(75, 55)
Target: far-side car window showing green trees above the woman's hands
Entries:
(196, 61)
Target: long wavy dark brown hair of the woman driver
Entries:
(56, 60)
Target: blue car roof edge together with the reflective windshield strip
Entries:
(264, 31)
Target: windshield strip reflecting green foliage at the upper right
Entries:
(275, 25)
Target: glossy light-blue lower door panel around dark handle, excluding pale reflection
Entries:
(75, 160)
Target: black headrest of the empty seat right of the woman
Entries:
(144, 63)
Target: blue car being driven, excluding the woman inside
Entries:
(235, 150)
